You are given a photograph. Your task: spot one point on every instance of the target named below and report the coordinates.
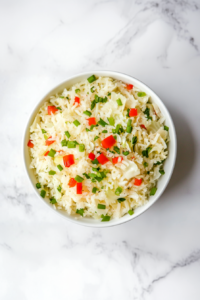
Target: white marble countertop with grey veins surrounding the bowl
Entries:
(156, 256)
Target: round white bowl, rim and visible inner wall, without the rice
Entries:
(169, 164)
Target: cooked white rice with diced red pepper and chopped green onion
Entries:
(98, 148)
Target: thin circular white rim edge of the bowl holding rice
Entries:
(145, 207)
